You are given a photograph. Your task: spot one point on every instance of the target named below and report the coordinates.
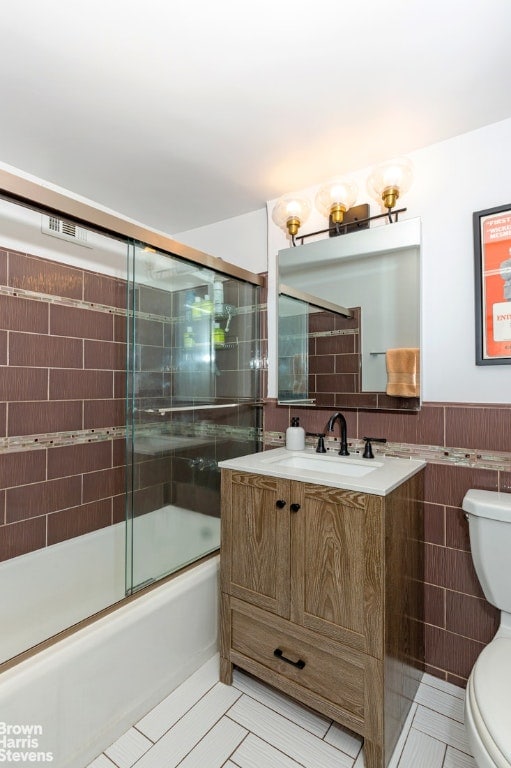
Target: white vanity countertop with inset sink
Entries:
(379, 476)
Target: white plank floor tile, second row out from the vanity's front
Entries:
(287, 737)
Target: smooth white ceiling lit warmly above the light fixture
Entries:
(181, 113)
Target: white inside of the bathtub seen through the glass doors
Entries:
(51, 589)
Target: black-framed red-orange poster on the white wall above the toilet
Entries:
(492, 252)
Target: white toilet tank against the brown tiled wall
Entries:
(489, 521)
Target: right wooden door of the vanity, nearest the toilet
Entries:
(337, 565)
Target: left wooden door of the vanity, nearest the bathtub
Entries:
(255, 540)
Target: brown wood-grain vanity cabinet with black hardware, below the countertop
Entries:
(321, 598)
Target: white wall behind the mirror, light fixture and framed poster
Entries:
(453, 179)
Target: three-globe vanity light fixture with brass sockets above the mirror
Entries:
(386, 183)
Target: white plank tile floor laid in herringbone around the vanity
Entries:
(205, 724)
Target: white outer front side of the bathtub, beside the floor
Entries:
(79, 695)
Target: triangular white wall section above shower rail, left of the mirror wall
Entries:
(240, 240)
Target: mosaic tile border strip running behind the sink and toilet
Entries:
(432, 453)
